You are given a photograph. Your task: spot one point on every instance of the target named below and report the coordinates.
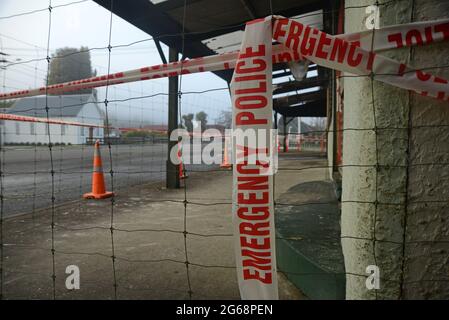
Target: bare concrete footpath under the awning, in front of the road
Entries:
(82, 237)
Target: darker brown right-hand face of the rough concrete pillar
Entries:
(428, 186)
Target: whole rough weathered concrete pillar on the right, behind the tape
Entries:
(393, 189)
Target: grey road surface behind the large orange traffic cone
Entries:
(27, 179)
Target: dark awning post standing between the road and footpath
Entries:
(172, 178)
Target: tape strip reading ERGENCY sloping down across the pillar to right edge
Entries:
(339, 54)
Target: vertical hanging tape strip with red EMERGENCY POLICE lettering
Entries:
(252, 204)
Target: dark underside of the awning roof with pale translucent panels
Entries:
(216, 26)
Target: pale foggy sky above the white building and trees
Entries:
(87, 24)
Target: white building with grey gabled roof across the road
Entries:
(77, 108)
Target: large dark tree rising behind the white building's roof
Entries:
(68, 64)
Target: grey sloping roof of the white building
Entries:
(59, 106)
